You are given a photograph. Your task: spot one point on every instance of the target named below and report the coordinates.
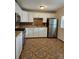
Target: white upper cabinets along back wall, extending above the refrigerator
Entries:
(32, 15)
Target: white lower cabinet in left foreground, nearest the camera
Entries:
(18, 45)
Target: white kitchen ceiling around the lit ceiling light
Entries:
(52, 5)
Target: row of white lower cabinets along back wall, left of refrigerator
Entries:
(36, 32)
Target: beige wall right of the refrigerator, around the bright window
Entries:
(59, 13)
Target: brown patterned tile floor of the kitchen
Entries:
(43, 48)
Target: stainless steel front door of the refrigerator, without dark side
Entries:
(52, 27)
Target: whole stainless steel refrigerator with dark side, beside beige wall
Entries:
(52, 27)
